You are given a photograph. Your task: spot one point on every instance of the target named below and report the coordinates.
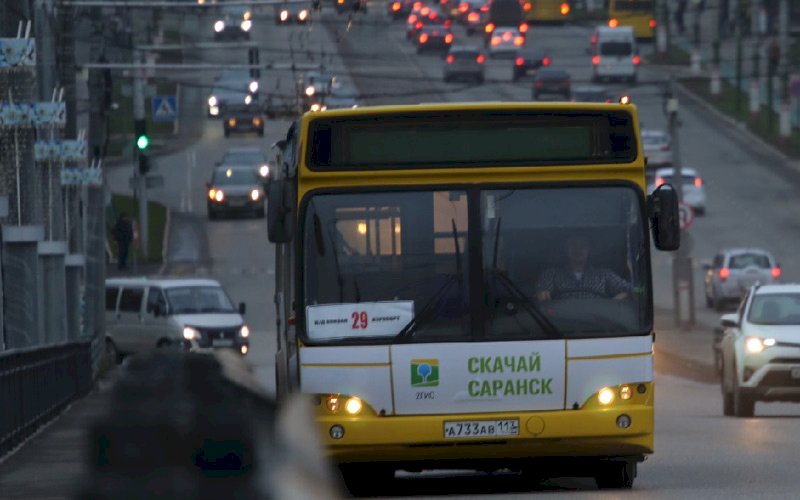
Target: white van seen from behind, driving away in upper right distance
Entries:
(615, 54)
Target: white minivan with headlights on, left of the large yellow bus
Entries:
(195, 314)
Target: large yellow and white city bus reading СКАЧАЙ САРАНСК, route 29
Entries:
(410, 242)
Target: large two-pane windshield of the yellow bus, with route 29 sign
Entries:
(377, 261)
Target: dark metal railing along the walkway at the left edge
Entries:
(36, 384)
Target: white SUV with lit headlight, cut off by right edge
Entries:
(760, 349)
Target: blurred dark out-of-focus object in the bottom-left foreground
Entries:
(195, 426)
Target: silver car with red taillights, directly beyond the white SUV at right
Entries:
(734, 270)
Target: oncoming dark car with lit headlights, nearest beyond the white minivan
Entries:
(235, 189)
